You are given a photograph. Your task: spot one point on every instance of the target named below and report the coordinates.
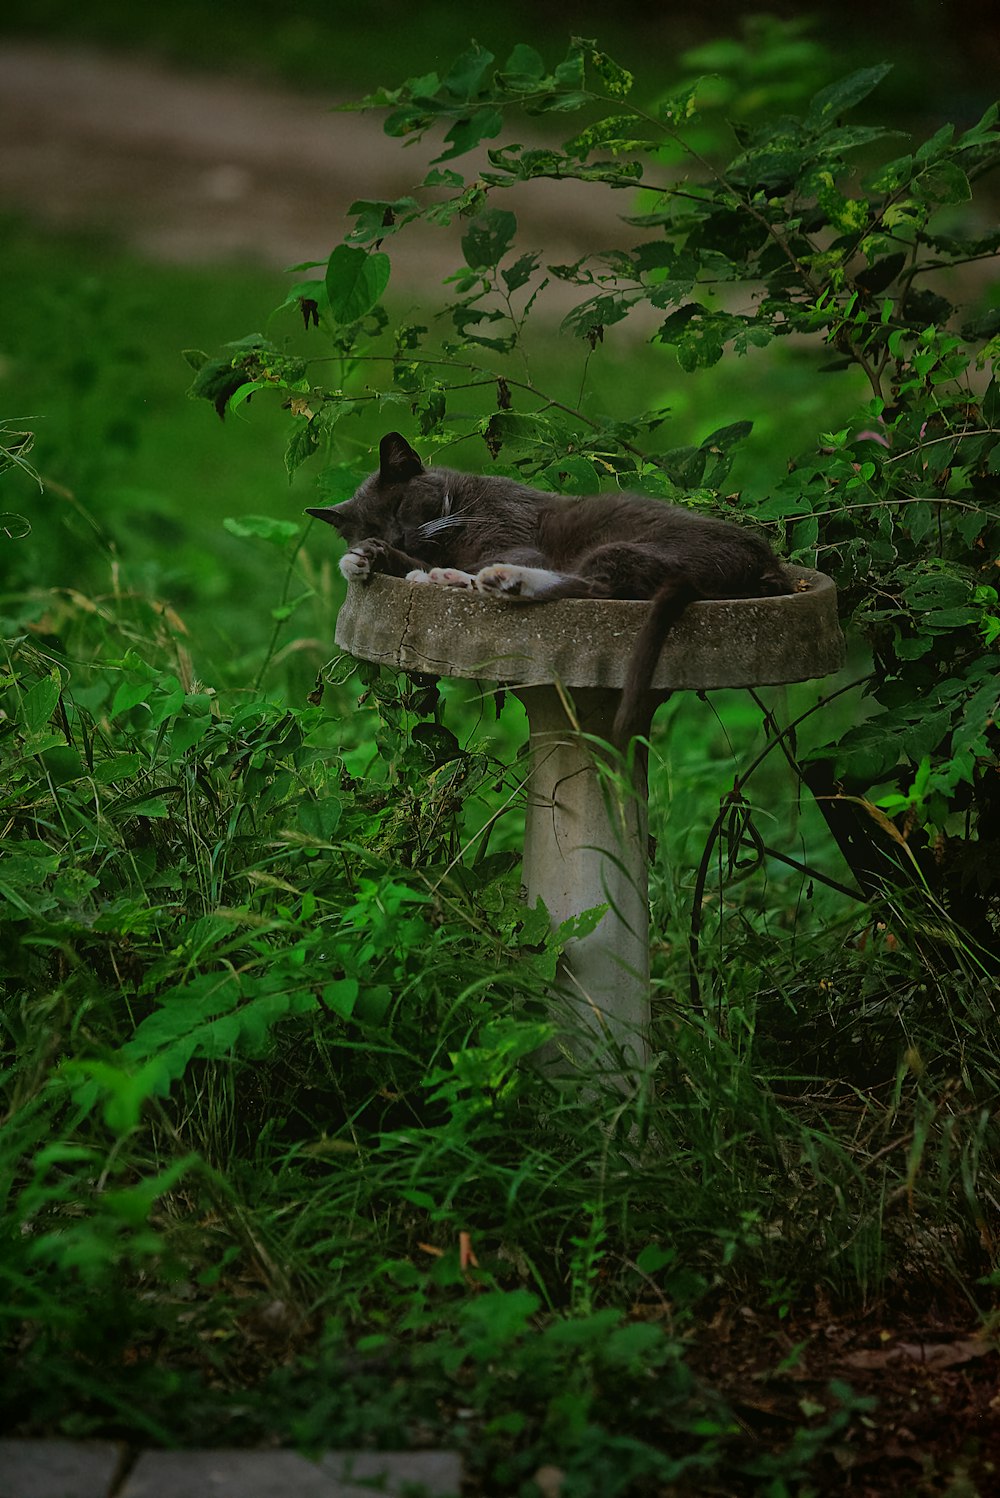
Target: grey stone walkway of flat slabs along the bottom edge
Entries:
(104, 1470)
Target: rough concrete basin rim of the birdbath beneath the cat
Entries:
(444, 631)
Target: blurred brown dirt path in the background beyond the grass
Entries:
(194, 169)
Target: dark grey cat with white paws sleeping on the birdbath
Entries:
(439, 527)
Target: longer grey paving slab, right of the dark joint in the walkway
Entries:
(281, 1475)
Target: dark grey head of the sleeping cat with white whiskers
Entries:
(402, 503)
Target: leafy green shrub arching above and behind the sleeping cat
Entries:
(808, 231)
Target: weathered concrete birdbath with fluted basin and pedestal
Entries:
(586, 826)
